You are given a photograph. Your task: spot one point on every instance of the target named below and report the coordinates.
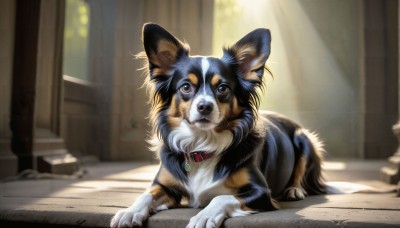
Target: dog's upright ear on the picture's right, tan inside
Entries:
(250, 54)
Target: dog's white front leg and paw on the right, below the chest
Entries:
(217, 210)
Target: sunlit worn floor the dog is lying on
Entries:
(91, 199)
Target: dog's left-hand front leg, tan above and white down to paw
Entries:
(153, 200)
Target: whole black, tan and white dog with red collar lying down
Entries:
(216, 149)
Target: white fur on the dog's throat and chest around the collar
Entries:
(187, 139)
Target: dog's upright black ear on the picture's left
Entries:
(162, 49)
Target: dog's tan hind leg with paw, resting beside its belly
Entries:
(295, 191)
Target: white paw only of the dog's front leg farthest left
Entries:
(128, 218)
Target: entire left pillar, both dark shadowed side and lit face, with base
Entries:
(37, 88)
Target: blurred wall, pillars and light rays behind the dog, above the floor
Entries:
(70, 88)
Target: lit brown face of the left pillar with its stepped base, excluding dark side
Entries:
(49, 149)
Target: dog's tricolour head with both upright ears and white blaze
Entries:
(208, 93)
